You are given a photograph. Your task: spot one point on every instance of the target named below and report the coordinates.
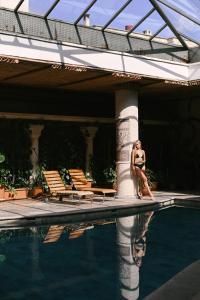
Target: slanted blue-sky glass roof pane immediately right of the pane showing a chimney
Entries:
(131, 14)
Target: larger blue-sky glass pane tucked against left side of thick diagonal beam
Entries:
(152, 24)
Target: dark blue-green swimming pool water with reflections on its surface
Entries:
(93, 261)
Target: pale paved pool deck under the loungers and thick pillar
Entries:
(31, 212)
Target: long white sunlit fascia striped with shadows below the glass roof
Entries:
(52, 52)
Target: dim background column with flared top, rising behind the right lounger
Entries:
(89, 134)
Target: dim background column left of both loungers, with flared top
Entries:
(35, 135)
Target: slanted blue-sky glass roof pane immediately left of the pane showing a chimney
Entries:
(69, 10)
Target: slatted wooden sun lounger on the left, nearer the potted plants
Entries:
(57, 187)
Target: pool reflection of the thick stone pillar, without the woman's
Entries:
(129, 271)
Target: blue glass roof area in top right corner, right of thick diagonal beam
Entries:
(182, 24)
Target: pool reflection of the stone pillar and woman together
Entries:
(132, 247)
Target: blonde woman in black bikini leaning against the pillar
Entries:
(138, 158)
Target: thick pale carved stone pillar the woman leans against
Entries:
(127, 134)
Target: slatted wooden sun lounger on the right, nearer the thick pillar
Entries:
(80, 183)
